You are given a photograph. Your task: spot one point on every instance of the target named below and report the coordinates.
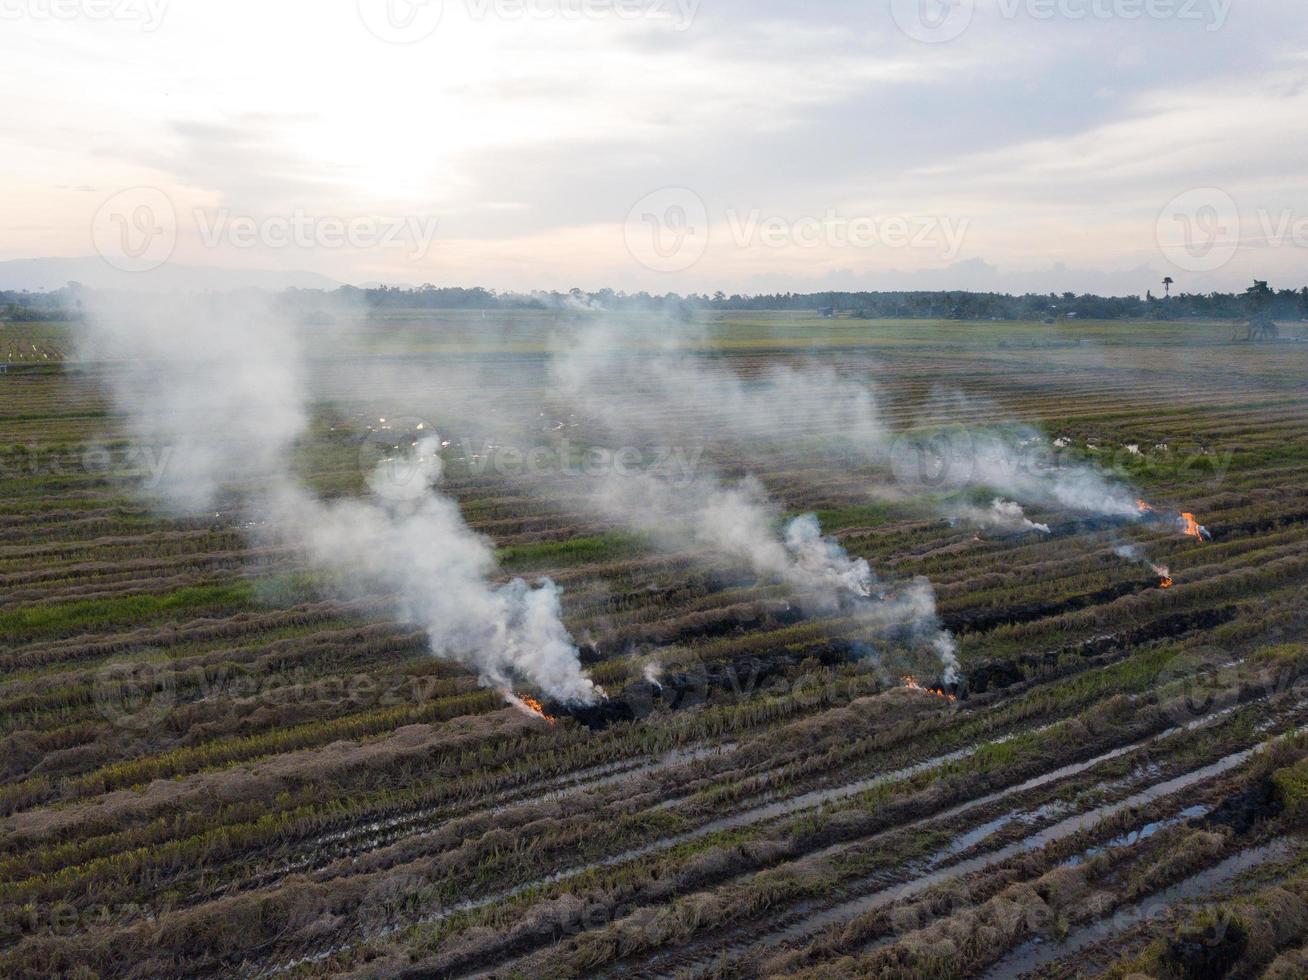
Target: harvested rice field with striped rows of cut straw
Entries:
(218, 762)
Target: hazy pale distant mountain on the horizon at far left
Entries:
(41, 275)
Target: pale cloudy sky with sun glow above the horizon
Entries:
(670, 146)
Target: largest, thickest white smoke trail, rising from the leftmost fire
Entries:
(222, 381)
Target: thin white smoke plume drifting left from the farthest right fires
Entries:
(686, 396)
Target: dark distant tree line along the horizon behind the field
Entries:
(1259, 300)
